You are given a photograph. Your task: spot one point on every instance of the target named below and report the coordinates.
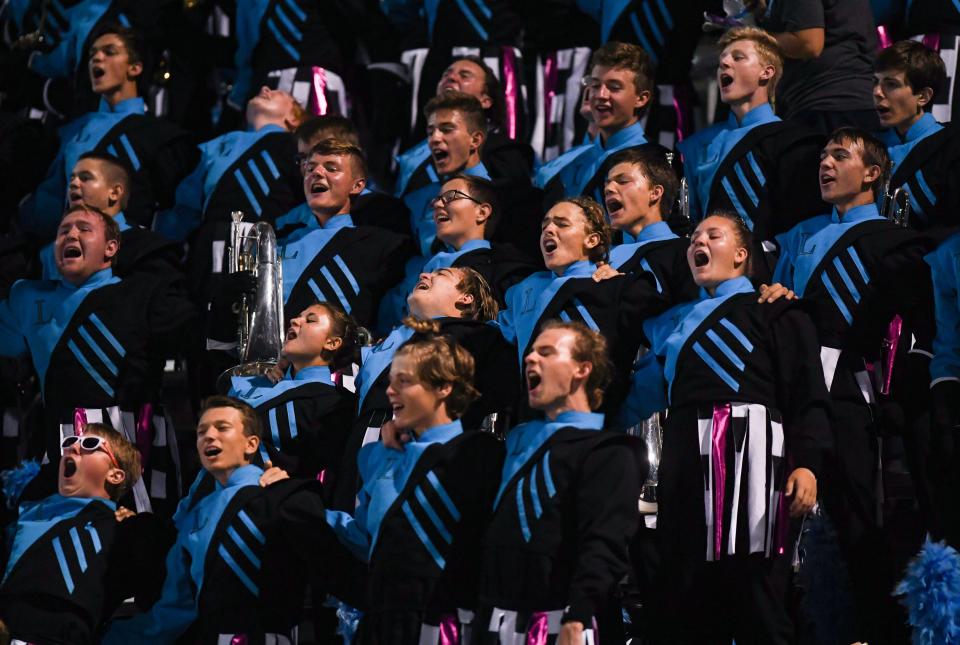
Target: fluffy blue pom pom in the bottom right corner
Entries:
(932, 594)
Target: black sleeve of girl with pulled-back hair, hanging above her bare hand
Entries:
(801, 391)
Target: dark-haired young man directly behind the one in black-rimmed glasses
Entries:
(456, 131)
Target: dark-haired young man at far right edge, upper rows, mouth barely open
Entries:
(924, 153)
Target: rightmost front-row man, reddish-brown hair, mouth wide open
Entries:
(566, 506)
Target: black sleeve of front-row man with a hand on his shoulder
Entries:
(307, 534)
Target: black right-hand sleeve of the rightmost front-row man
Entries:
(607, 518)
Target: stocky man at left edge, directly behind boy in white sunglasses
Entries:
(98, 344)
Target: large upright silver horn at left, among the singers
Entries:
(260, 329)
